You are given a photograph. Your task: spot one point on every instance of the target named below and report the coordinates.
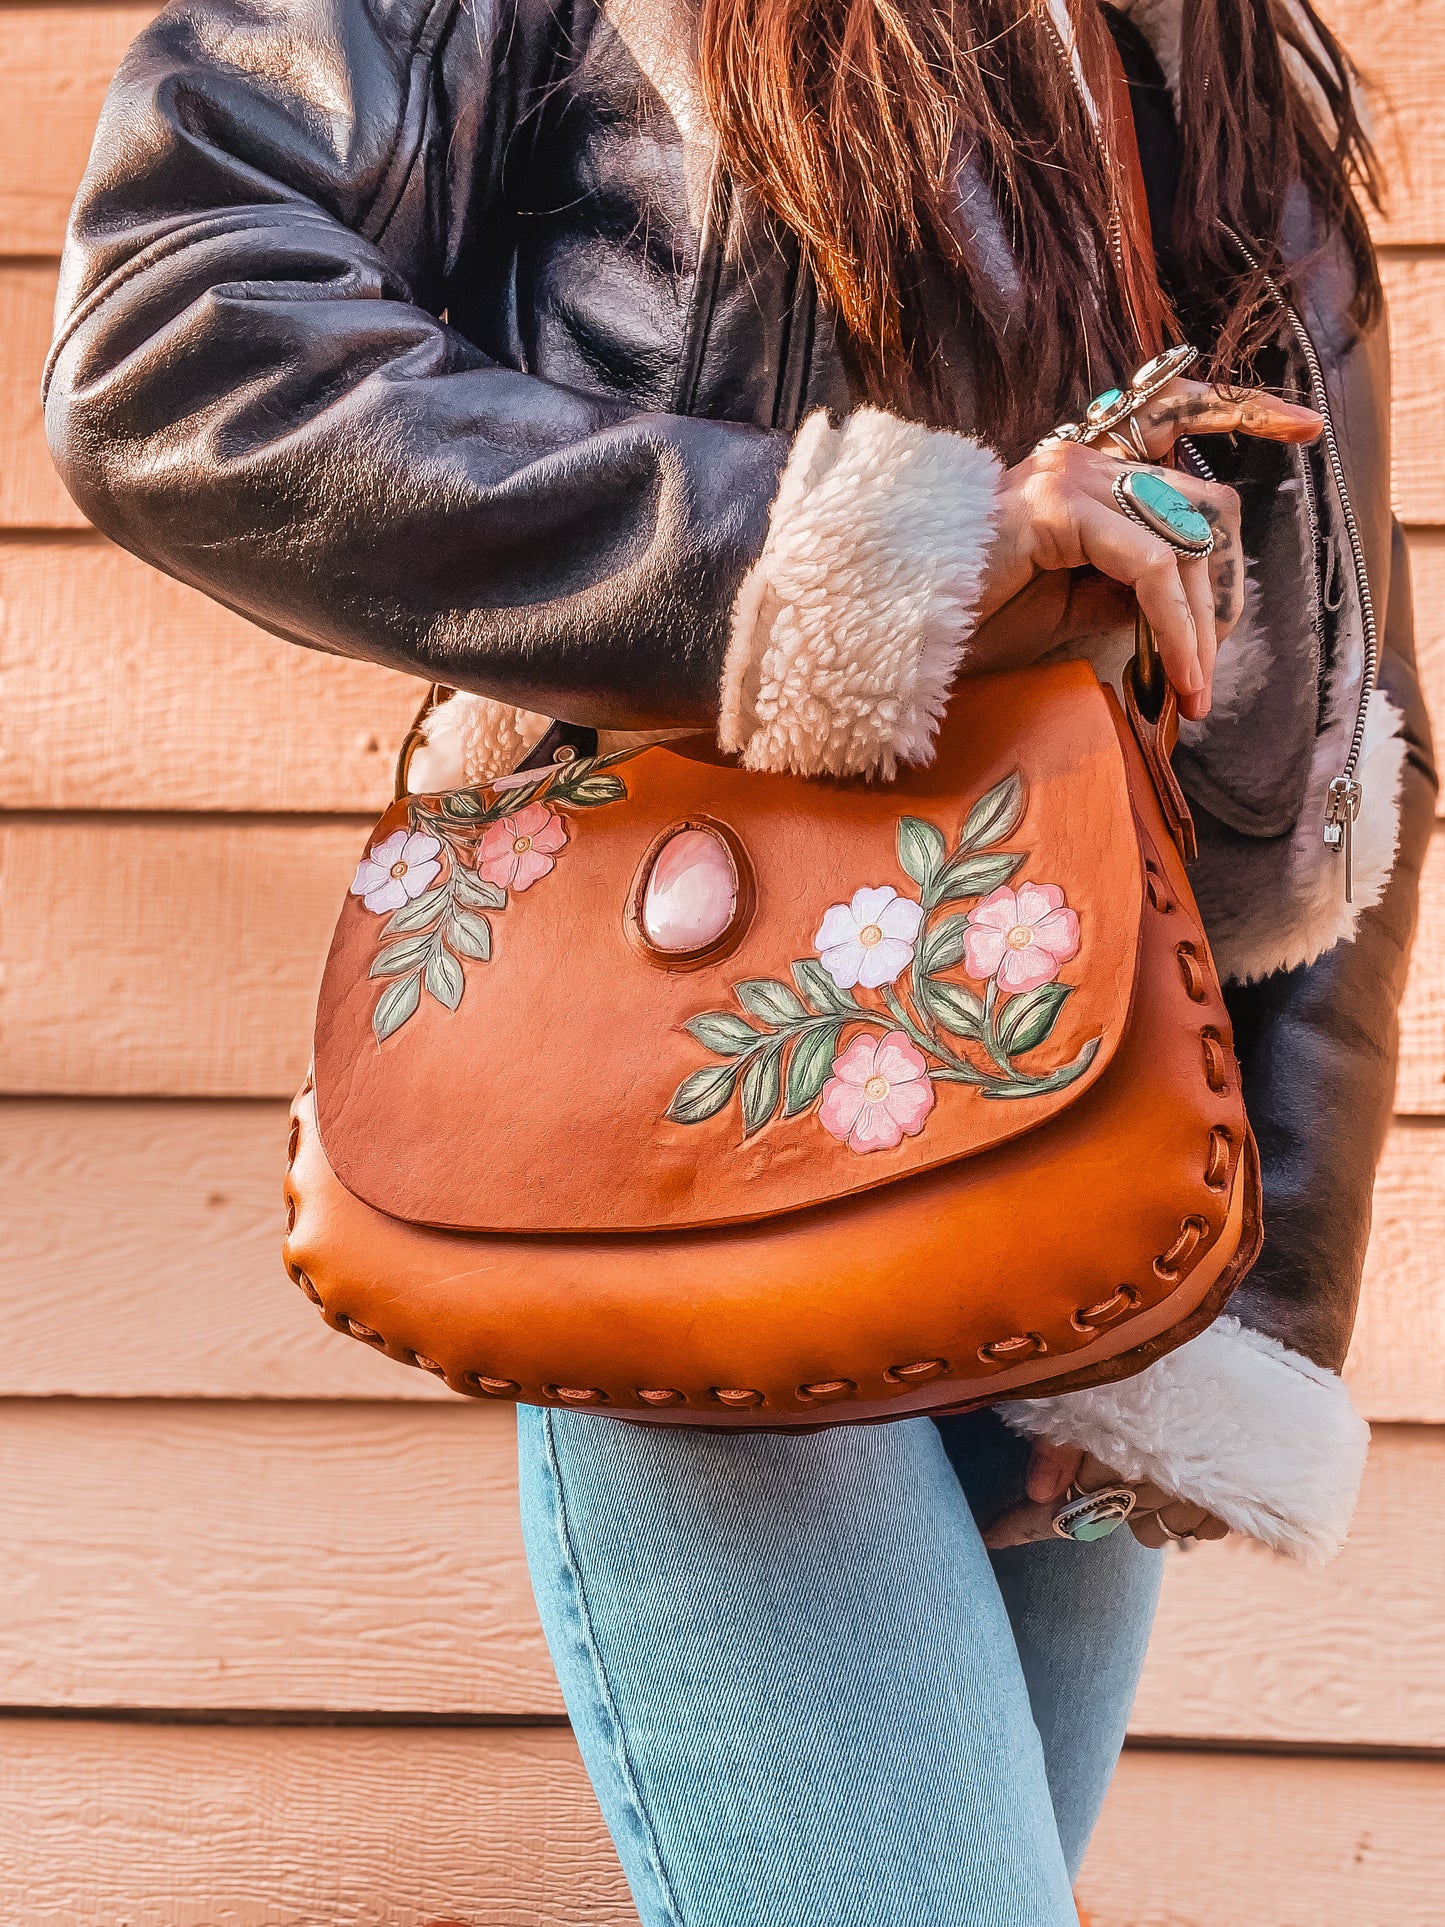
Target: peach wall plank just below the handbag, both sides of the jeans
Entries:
(369, 1558)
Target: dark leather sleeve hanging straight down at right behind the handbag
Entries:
(1319, 1051)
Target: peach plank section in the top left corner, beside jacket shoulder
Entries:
(55, 68)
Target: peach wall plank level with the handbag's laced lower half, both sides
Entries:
(145, 1265)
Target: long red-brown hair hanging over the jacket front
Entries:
(864, 126)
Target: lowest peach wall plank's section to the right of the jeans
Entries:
(1234, 1841)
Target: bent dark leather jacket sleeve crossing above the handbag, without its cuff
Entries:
(253, 388)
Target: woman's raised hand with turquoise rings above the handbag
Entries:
(1057, 512)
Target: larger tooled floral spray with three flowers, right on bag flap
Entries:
(806, 1043)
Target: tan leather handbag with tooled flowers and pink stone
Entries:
(668, 1090)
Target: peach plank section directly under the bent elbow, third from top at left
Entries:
(126, 691)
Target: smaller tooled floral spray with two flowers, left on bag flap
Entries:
(454, 862)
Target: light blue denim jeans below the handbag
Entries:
(804, 1691)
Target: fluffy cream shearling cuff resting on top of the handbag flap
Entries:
(853, 625)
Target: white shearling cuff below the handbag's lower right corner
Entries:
(1234, 1421)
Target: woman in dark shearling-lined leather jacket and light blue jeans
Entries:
(698, 365)
